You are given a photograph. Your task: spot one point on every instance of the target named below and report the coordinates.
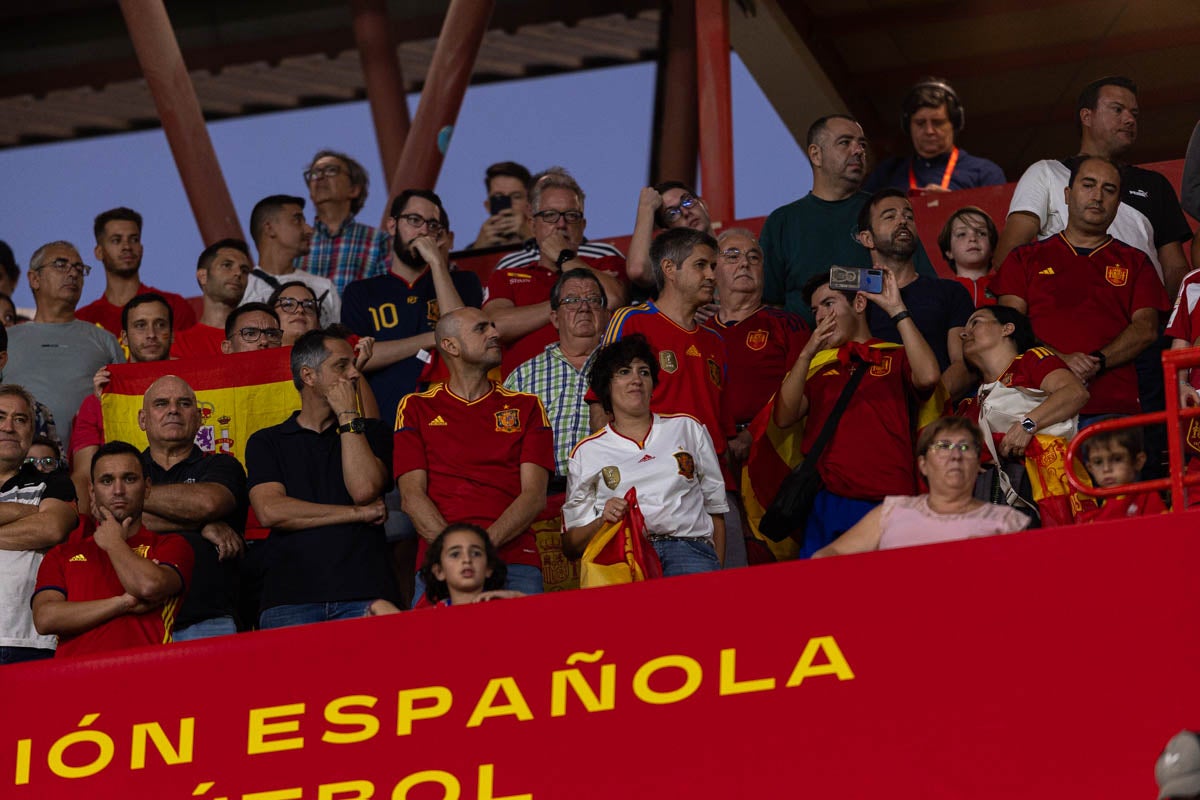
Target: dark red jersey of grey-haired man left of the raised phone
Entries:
(761, 350)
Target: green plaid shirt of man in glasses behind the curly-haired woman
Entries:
(562, 389)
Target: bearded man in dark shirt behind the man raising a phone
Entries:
(939, 306)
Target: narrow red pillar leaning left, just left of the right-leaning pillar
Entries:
(385, 82)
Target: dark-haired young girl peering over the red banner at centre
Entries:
(463, 567)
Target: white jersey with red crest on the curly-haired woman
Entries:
(675, 471)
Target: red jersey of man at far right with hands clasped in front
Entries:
(1079, 304)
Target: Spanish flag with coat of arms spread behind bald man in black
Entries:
(238, 395)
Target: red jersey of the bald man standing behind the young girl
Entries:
(472, 453)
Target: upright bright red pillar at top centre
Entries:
(716, 107)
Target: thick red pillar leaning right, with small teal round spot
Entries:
(463, 34)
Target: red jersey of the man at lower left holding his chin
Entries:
(81, 570)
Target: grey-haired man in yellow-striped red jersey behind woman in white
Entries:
(693, 362)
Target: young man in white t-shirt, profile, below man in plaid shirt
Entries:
(281, 236)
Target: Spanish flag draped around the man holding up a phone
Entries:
(776, 452)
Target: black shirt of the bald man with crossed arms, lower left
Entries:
(214, 587)
